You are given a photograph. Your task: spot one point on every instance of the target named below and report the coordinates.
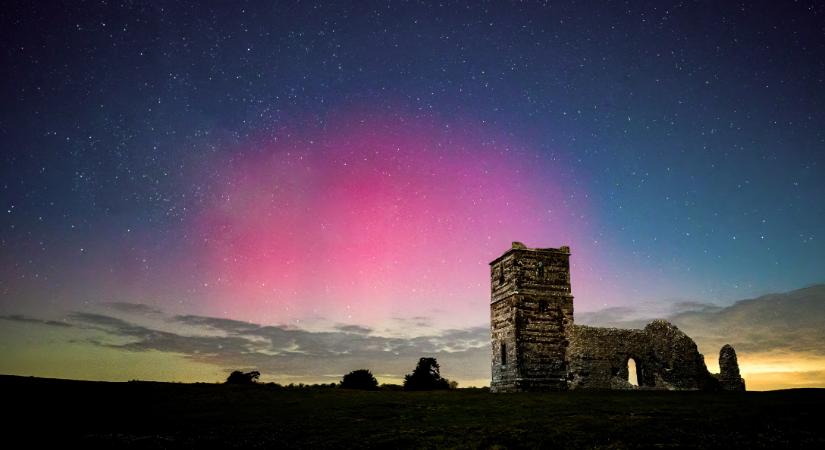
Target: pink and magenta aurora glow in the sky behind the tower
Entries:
(365, 219)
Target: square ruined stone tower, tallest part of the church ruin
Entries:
(530, 312)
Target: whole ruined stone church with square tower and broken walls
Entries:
(537, 347)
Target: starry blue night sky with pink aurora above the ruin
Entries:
(336, 168)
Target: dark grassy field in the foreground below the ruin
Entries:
(162, 415)
